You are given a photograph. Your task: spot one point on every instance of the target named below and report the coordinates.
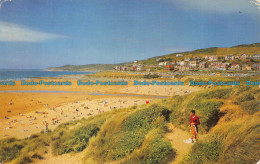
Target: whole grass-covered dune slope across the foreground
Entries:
(229, 129)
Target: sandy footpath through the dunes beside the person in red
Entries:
(176, 137)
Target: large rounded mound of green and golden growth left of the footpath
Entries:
(128, 133)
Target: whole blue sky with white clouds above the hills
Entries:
(37, 34)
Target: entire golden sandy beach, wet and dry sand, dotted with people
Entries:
(23, 113)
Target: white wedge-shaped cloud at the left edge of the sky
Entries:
(10, 32)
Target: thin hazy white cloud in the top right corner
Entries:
(219, 6)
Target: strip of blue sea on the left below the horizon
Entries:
(25, 74)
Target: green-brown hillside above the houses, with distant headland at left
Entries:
(249, 49)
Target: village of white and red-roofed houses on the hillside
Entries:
(243, 62)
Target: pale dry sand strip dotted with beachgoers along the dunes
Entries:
(22, 126)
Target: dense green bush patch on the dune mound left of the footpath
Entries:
(135, 128)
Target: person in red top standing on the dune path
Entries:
(194, 122)
